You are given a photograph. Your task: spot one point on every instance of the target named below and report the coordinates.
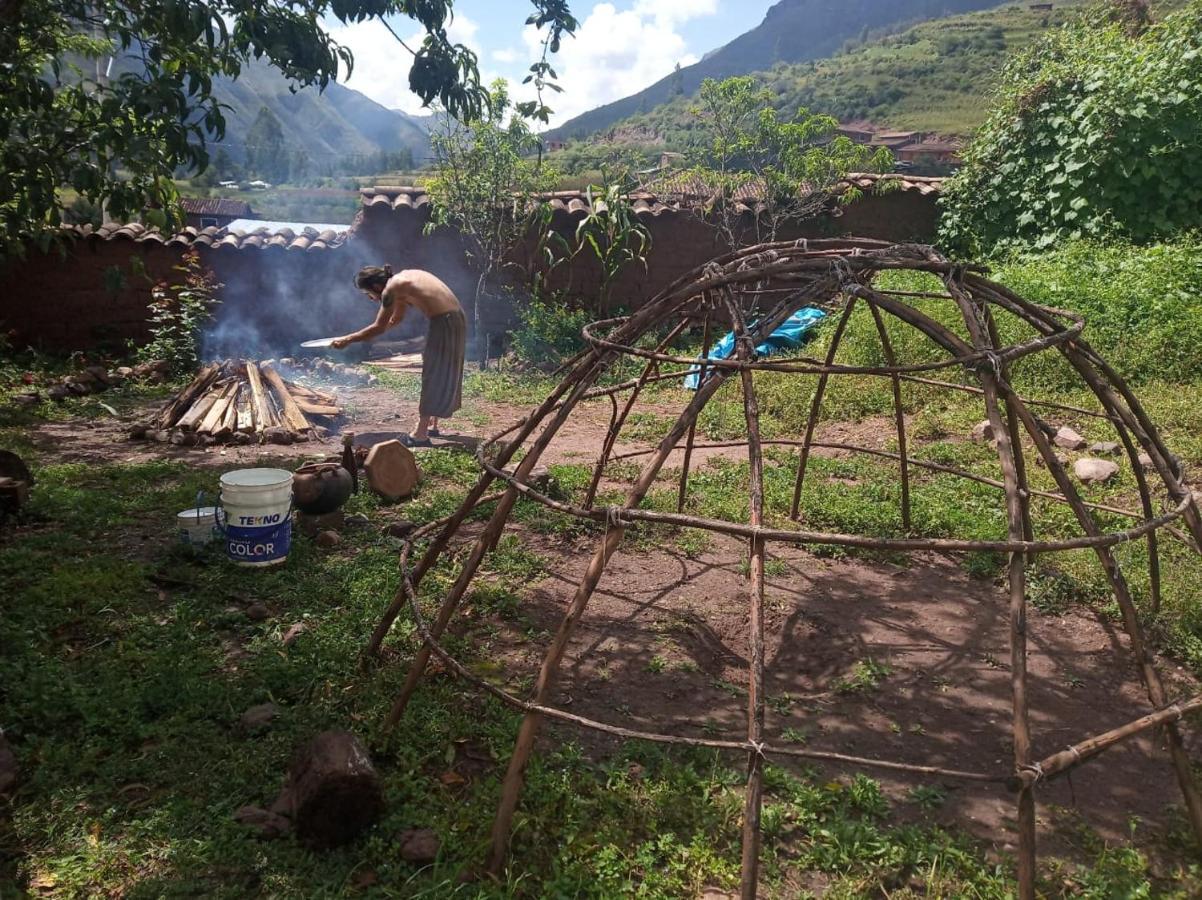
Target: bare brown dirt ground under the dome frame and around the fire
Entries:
(663, 647)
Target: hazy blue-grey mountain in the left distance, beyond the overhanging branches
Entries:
(331, 128)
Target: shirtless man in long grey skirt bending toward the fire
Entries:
(443, 359)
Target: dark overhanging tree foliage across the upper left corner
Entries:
(117, 139)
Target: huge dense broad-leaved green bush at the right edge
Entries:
(1096, 132)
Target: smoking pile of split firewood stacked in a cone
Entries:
(240, 402)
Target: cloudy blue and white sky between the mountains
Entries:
(621, 47)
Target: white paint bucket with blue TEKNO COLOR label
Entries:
(258, 511)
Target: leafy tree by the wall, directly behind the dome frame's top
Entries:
(789, 169)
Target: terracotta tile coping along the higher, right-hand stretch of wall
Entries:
(670, 194)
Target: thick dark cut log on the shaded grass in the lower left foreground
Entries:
(334, 792)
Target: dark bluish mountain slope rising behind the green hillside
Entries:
(792, 32)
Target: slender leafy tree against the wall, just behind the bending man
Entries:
(486, 186)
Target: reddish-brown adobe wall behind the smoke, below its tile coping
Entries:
(275, 299)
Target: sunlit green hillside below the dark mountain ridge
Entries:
(935, 78)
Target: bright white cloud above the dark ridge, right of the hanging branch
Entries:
(618, 52)
